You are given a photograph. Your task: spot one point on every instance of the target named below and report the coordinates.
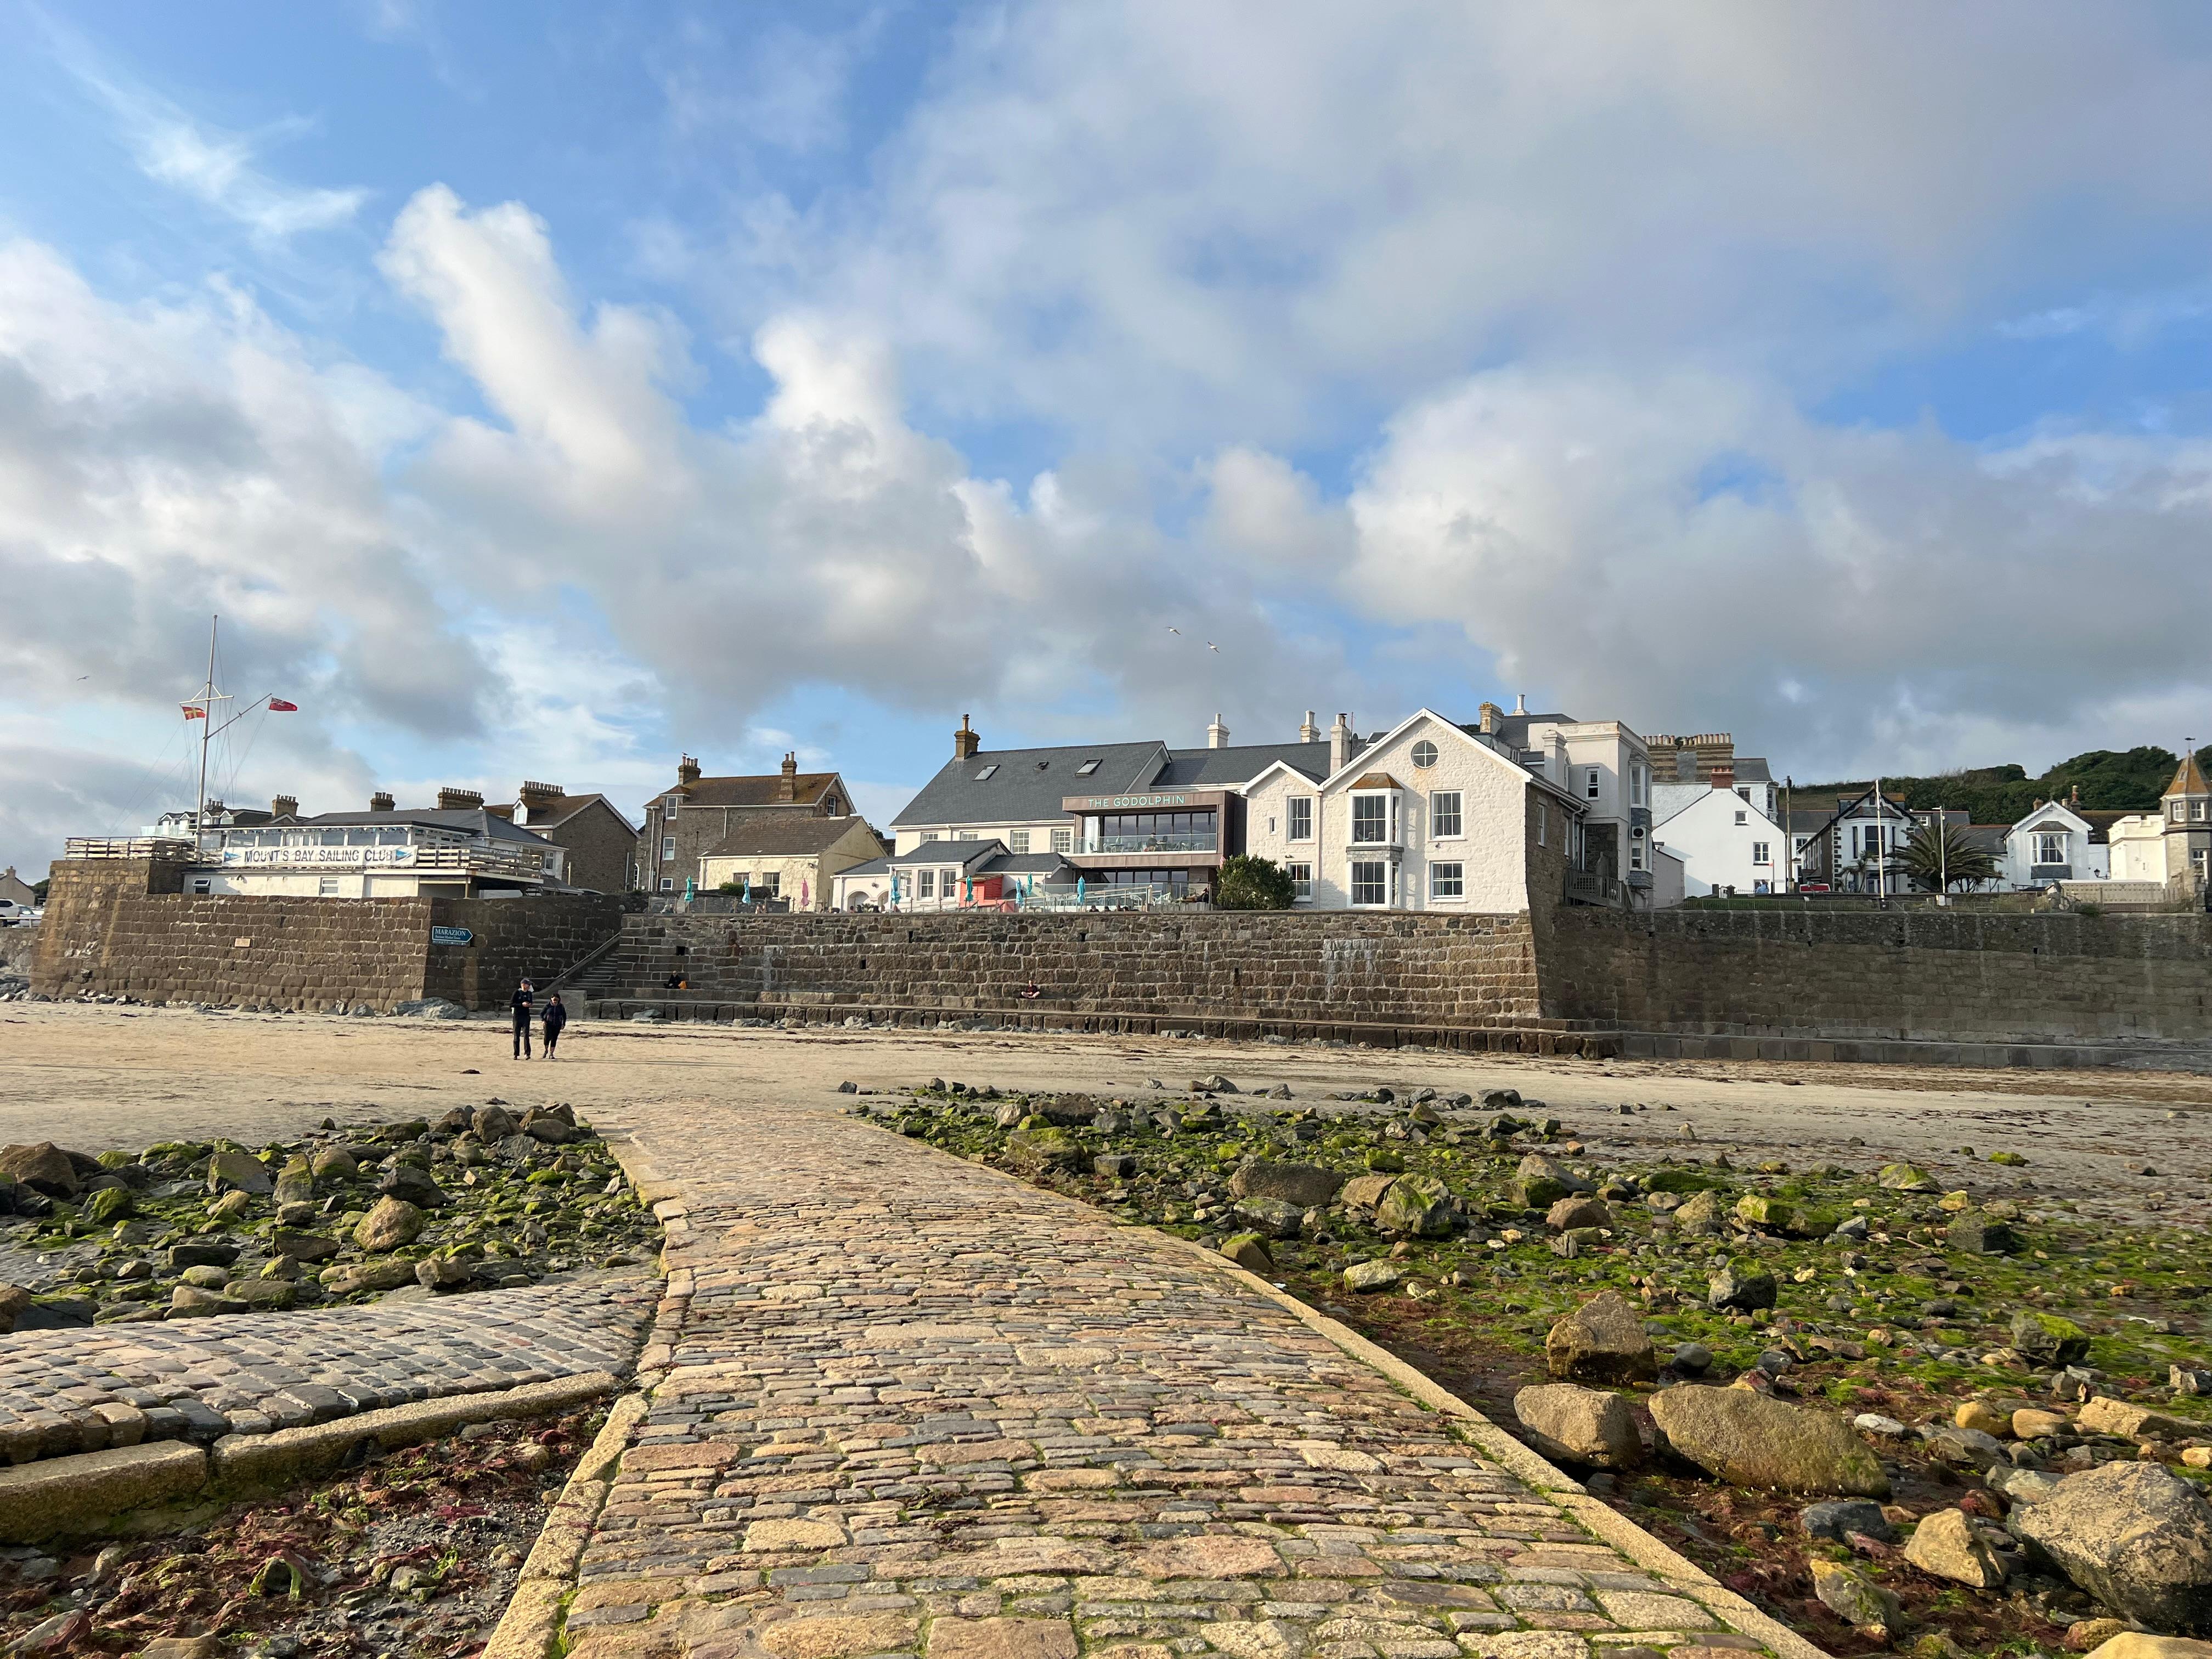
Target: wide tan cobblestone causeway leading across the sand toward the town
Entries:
(906, 1406)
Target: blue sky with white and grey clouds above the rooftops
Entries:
(552, 390)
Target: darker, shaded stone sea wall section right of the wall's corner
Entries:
(1881, 974)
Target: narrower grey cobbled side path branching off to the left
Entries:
(118, 1386)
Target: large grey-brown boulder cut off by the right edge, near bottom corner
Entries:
(2133, 1536)
